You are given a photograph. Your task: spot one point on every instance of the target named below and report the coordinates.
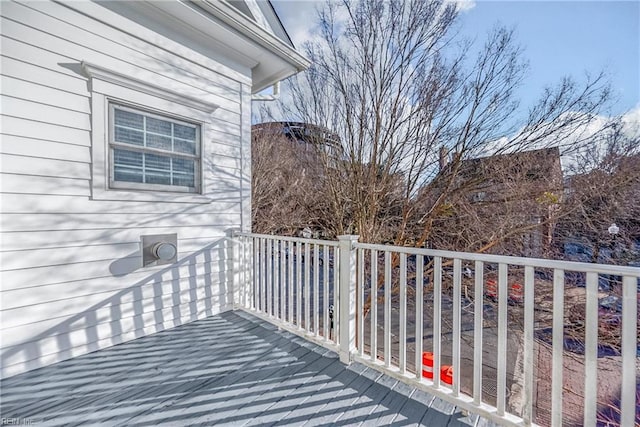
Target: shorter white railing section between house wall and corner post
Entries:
(292, 282)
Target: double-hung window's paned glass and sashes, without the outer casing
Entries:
(148, 151)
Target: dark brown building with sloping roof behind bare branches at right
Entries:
(494, 197)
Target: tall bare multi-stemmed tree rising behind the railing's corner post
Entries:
(376, 81)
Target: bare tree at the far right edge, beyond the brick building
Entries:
(604, 189)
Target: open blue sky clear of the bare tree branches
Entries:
(559, 38)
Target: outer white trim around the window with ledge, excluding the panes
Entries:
(111, 88)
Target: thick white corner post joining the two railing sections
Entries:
(347, 295)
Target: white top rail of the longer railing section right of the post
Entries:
(512, 260)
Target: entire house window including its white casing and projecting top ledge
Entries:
(158, 159)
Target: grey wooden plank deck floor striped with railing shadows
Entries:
(230, 369)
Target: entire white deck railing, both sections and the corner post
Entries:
(513, 356)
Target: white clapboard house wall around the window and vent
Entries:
(72, 280)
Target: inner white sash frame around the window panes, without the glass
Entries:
(197, 157)
